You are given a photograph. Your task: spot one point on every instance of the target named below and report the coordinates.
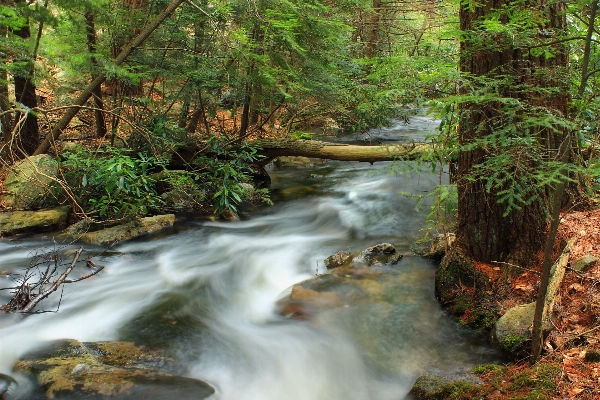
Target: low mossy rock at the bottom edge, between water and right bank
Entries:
(441, 387)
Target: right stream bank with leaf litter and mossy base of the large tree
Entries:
(569, 367)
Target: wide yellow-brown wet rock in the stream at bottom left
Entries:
(106, 370)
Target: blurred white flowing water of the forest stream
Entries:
(207, 292)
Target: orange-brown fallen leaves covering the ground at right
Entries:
(570, 366)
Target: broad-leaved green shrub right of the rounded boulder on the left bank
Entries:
(110, 184)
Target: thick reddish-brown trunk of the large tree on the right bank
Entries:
(484, 231)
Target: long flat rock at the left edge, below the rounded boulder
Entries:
(15, 222)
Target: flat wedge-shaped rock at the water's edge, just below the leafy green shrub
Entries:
(109, 236)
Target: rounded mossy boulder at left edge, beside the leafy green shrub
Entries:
(29, 182)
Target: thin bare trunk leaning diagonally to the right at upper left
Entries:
(88, 92)
